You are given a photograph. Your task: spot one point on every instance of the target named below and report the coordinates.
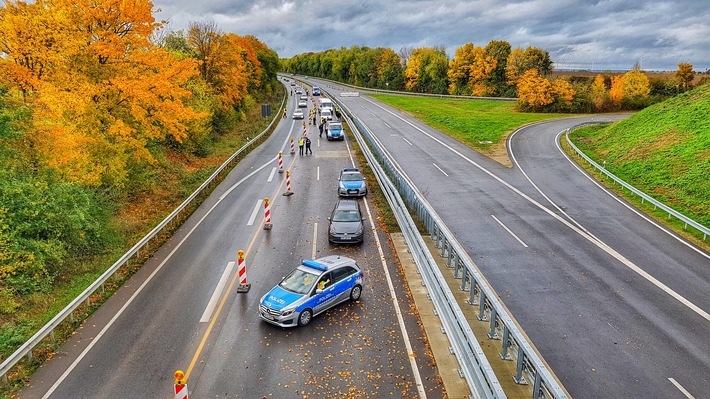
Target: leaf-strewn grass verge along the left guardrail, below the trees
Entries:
(174, 177)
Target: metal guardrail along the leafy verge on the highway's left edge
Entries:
(85, 296)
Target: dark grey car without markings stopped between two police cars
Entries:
(345, 223)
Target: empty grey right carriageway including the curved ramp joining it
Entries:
(616, 305)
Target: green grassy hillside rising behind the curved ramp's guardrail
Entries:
(663, 150)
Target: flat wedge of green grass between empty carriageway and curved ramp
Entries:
(481, 124)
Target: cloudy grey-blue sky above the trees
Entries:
(580, 34)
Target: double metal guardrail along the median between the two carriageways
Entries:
(403, 195)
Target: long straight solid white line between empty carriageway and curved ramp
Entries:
(601, 245)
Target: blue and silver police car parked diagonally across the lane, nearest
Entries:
(312, 288)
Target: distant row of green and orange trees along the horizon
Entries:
(496, 70)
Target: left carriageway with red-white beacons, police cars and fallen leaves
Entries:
(161, 320)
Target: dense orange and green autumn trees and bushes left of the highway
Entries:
(91, 93)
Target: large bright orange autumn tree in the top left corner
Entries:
(101, 91)
